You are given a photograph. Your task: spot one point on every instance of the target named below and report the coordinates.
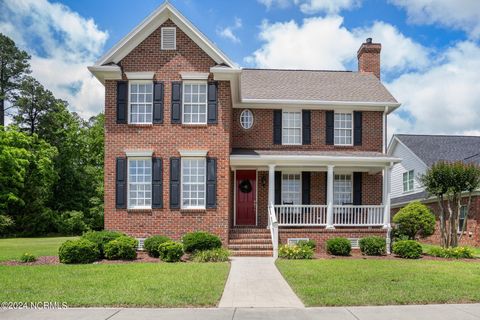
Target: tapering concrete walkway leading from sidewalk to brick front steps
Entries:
(256, 282)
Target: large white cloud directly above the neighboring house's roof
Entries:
(442, 99)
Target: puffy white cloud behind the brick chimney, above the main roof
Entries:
(324, 43)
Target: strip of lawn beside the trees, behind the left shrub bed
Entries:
(12, 249)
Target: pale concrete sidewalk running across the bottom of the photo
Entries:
(429, 312)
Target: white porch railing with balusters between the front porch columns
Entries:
(316, 215)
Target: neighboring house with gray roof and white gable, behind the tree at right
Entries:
(418, 154)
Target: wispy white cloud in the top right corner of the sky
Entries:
(459, 14)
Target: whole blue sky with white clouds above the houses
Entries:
(430, 54)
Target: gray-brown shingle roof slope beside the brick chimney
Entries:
(318, 85)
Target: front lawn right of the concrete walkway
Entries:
(342, 282)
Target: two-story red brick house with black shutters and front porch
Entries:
(258, 157)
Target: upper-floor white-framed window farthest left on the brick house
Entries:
(140, 101)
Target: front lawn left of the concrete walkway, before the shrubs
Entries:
(134, 284)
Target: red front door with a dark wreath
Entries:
(246, 197)
